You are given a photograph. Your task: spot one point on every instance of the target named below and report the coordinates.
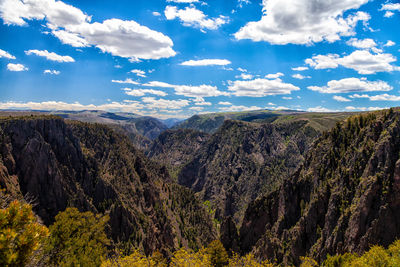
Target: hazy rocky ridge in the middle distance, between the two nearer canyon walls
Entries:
(243, 160)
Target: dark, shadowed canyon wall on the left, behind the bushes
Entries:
(89, 166)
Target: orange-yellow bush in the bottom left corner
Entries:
(20, 234)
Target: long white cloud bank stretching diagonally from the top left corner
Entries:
(118, 37)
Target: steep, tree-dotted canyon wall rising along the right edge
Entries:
(345, 197)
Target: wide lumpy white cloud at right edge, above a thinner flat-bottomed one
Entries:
(361, 61)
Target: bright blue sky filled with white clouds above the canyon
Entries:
(176, 58)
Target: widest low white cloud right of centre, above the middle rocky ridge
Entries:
(261, 87)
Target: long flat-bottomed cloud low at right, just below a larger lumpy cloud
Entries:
(350, 85)
